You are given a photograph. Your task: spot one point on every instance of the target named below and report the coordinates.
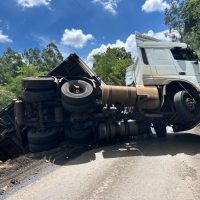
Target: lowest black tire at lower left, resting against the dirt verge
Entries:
(45, 147)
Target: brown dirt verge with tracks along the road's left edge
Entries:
(13, 172)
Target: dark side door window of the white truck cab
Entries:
(182, 54)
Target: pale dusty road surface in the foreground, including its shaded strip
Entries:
(156, 169)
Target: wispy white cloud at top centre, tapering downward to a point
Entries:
(109, 5)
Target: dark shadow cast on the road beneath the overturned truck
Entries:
(187, 143)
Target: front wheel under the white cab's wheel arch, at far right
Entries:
(185, 105)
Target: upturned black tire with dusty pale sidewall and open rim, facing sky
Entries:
(85, 96)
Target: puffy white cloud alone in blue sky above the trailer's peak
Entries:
(75, 38)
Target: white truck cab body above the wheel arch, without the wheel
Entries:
(160, 62)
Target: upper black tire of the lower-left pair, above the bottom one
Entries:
(40, 138)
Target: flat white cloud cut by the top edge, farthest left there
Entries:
(33, 3)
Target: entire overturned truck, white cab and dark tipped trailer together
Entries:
(72, 103)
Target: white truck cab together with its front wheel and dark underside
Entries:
(173, 68)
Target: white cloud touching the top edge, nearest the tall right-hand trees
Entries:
(154, 5)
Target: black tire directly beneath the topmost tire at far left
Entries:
(38, 96)
